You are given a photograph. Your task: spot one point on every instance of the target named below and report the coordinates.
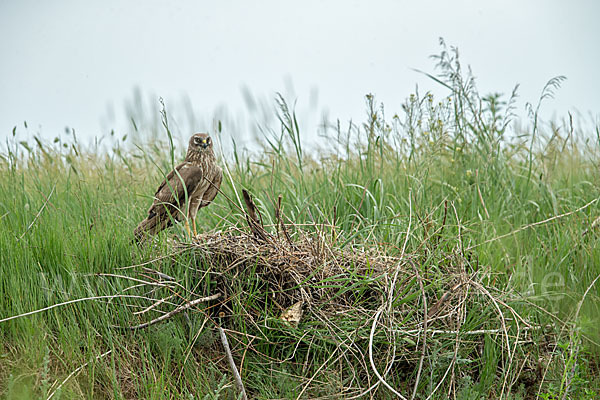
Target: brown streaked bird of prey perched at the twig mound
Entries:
(193, 184)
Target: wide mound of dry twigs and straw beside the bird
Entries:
(385, 314)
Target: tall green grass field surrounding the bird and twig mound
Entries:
(433, 154)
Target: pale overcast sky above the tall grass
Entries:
(74, 63)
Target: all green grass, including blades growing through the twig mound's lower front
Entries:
(67, 214)
